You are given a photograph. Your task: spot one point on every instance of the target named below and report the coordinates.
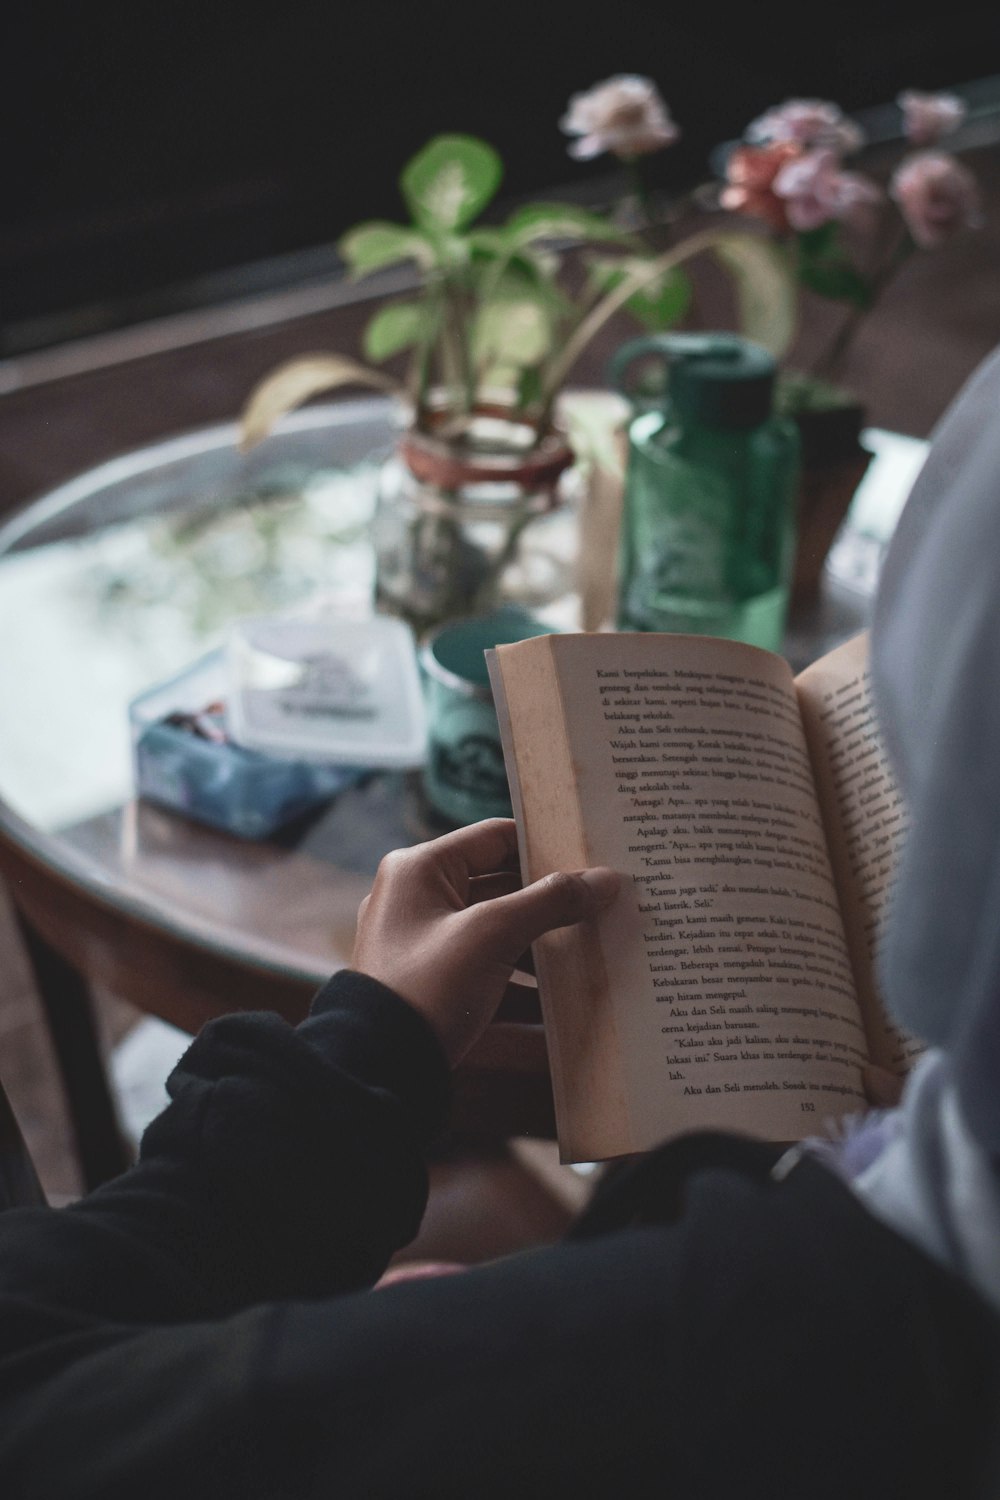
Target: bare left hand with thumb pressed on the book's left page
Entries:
(448, 922)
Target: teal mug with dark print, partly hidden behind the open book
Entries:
(464, 778)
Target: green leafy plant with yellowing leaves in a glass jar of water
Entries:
(499, 316)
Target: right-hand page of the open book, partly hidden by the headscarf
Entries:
(866, 818)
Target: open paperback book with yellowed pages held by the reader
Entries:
(732, 983)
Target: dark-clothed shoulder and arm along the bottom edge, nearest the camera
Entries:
(611, 1366)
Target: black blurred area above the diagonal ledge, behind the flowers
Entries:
(155, 149)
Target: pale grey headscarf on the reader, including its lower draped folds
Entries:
(936, 671)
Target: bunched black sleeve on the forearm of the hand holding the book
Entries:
(287, 1165)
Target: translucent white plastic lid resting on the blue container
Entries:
(337, 691)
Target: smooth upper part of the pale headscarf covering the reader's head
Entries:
(936, 668)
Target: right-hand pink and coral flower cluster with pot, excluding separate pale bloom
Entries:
(845, 239)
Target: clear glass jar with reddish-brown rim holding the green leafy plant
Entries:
(454, 508)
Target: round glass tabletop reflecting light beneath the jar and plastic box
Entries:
(130, 574)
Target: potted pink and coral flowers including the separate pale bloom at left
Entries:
(842, 238)
